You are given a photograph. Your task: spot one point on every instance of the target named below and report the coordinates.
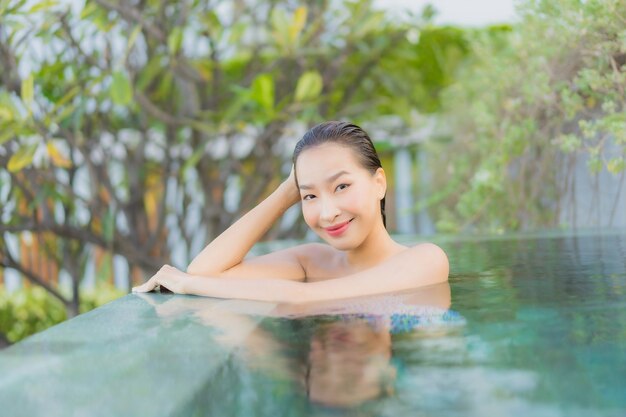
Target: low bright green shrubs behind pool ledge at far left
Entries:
(33, 309)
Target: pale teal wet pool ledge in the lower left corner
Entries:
(118, 360)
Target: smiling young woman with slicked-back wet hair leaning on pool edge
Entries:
(341, 184)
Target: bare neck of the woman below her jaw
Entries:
(377, 247)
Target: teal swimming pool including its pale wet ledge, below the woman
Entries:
(535, 326)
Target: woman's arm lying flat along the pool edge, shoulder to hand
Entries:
(419, 266)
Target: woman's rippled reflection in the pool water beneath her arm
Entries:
(336, 354)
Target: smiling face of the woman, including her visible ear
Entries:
(340, 198)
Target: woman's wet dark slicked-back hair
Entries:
(346, 134)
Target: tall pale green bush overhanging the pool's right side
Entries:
(529, 99)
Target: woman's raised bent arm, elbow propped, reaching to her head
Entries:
(224, 256)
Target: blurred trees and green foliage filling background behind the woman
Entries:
(125, 126)
